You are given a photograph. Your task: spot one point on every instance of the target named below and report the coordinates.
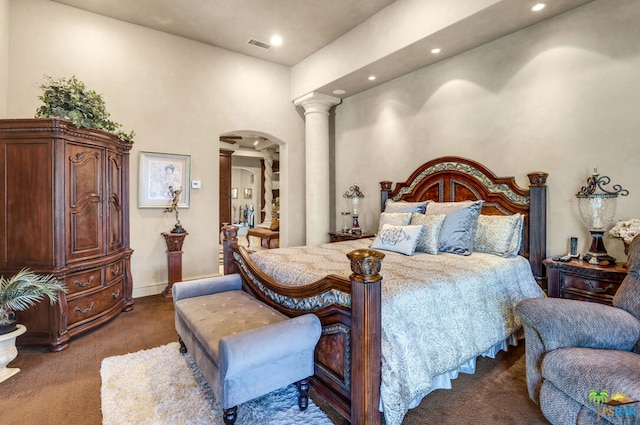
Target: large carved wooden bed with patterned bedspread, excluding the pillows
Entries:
(356, 366)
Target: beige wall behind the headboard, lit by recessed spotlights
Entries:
(559, 97)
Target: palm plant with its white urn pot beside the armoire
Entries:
(18, 293)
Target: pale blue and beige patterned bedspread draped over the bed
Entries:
(438, 311)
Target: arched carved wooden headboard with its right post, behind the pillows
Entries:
(452, 178)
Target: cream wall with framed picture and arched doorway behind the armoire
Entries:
(177, 95)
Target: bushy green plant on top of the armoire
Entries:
(70, 99)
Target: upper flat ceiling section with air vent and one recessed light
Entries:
(305, 25)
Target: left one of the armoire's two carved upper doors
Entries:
(85, 201)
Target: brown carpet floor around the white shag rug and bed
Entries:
(63, 388)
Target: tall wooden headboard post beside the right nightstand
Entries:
(538, 221)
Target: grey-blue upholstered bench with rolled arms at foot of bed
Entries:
(243, 347)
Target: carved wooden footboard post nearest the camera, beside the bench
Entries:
(366, 331)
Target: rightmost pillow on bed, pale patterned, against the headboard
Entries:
(499, 234)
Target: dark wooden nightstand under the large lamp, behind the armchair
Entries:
(580, 280)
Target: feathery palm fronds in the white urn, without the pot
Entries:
(21, 291)
